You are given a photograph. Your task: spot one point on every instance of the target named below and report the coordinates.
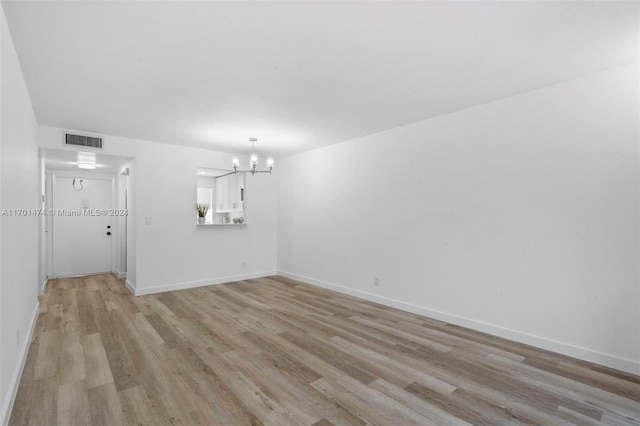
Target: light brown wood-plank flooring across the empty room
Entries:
(278, 352)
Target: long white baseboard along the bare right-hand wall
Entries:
(608, 360)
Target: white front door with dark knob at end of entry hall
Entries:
(81, 226)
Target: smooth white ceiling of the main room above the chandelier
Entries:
(298, 75)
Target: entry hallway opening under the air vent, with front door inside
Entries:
(84, 230)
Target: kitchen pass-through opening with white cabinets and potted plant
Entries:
(223, 193)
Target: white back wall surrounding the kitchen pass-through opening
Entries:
(172, 252)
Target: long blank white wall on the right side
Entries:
(519, 217)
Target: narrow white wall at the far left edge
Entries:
(19, 242)
